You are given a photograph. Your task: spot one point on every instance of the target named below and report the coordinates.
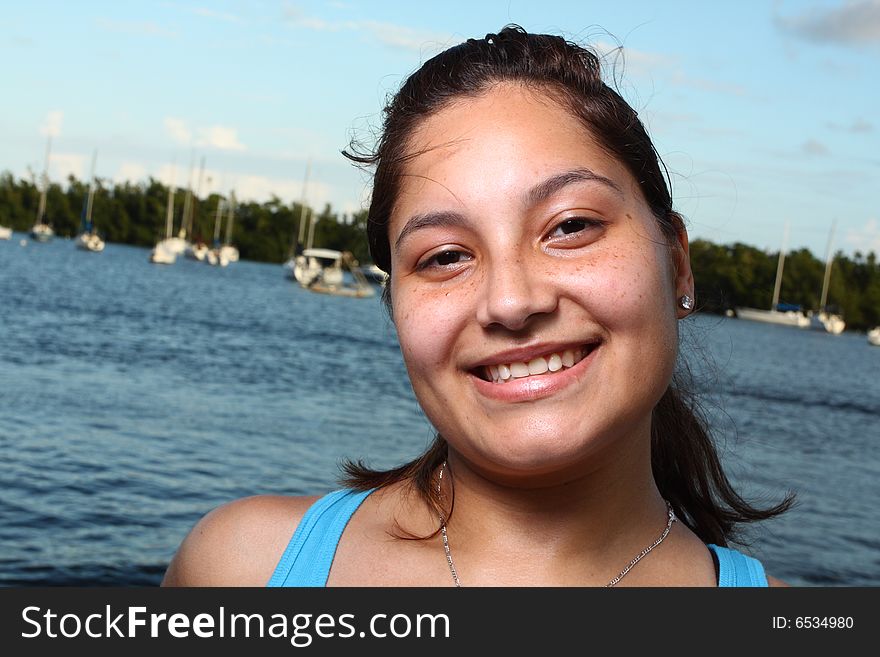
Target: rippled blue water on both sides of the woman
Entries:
(136, 397)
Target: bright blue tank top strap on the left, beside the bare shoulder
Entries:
(310, 552)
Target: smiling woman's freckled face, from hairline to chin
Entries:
(533, 292)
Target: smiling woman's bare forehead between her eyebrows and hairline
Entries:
(508, 143)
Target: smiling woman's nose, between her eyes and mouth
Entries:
(512, 292)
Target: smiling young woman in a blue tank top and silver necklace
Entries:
(538, 273)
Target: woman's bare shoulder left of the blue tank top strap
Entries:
(238, 543)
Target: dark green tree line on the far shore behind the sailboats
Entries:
(727, 276)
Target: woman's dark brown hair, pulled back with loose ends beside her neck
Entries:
(685, 464)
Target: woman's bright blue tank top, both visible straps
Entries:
(309, 555)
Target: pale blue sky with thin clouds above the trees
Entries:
(764, 111)
